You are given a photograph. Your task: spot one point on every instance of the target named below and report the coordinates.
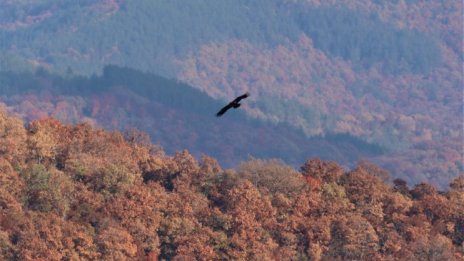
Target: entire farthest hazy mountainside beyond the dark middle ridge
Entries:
(389, 72)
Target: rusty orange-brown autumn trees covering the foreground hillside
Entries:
(73, 192)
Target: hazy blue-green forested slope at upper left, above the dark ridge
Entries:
(143, 34)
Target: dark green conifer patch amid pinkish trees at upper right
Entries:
(365, 40)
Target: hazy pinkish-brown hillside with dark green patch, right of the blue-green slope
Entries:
(389, 72)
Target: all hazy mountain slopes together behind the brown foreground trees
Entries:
(386, 73)
